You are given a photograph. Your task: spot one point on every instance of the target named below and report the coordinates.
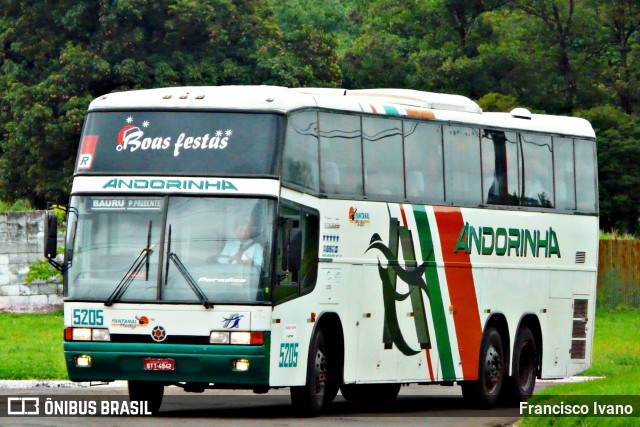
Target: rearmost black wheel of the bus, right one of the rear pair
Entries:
(524, 368)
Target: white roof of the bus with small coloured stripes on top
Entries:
(402, 102)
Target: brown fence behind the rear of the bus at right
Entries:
(619, 274)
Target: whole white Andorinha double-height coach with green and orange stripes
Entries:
(328, 239)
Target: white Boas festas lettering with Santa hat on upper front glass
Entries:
(131, 138)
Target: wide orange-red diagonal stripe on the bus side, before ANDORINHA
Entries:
(457, 267)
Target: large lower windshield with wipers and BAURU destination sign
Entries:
(169, 249)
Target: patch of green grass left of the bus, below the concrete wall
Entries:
(31, 346)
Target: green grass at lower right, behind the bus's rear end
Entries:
(616, 356)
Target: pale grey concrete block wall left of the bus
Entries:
(22, 243)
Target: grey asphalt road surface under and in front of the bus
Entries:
(416, 405)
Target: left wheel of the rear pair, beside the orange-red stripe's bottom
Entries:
(485, 391)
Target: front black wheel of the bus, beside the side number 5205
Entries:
(320, 388)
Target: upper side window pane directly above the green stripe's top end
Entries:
(423, 161)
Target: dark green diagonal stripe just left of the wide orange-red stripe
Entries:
(435, 300)
